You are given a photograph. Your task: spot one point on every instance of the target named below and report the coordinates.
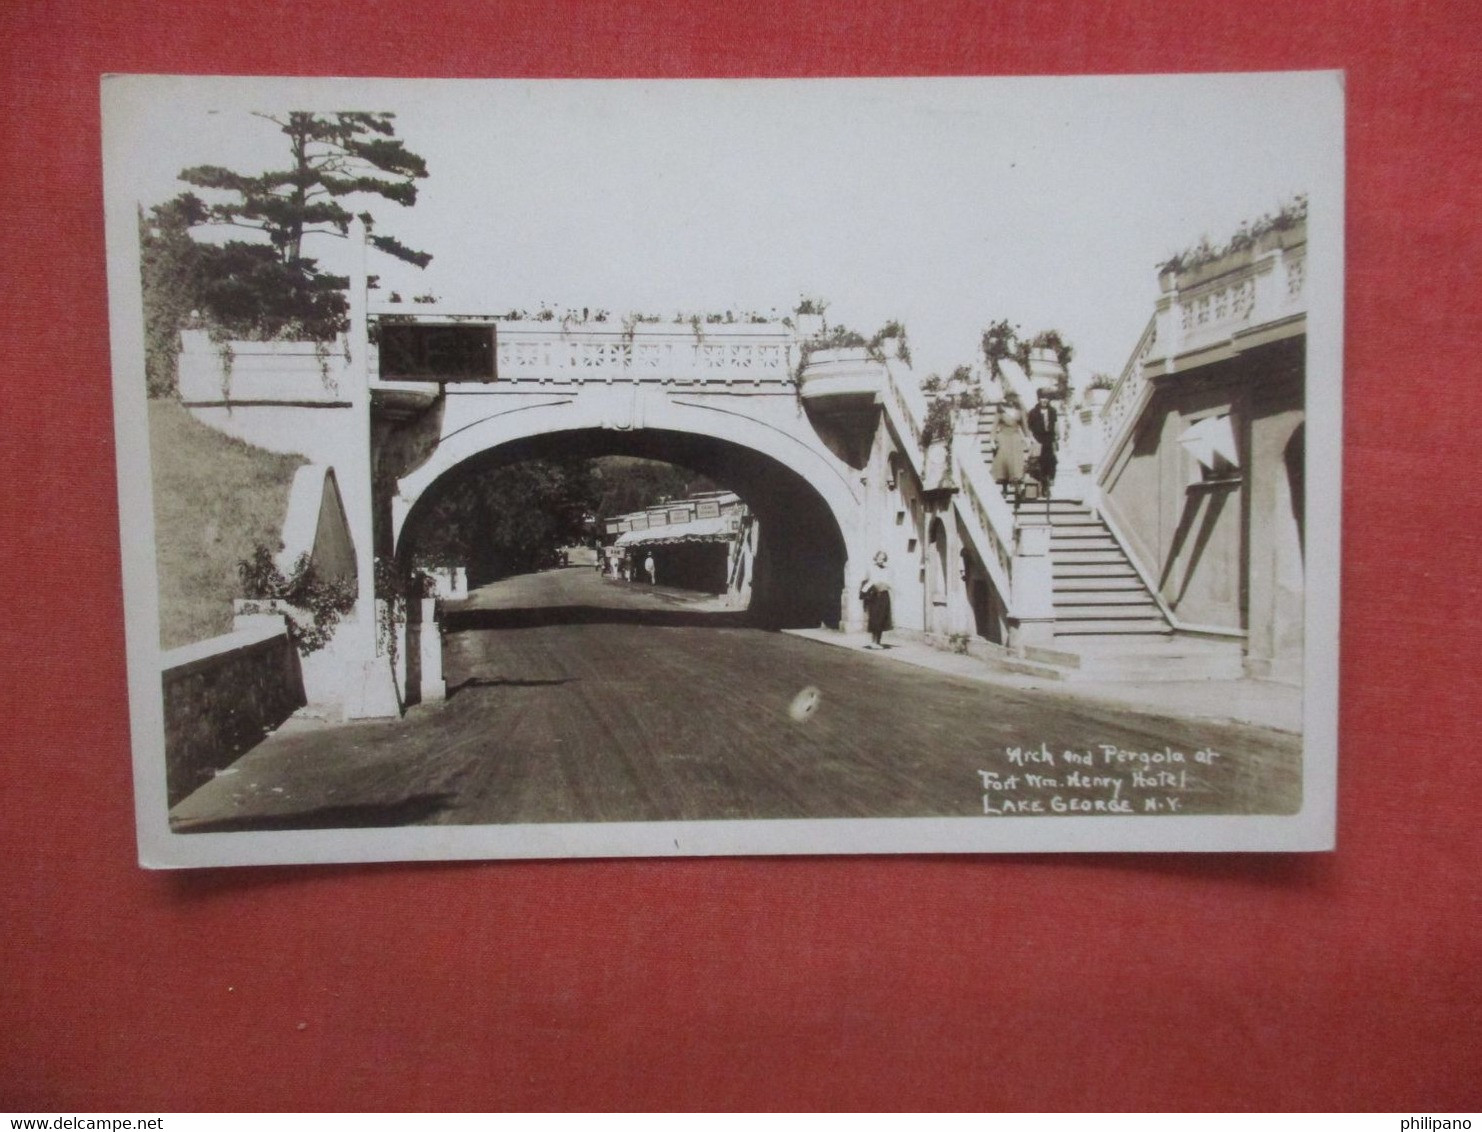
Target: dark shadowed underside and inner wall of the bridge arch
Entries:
(800, 565)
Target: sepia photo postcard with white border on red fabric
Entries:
(604, 469)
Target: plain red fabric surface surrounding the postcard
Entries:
(1349, 980)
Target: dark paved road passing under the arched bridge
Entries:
(577, 699)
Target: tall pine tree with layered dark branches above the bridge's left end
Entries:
(270, 290)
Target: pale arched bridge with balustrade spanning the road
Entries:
(460, 393)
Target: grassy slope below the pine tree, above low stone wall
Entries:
(216, 499)
